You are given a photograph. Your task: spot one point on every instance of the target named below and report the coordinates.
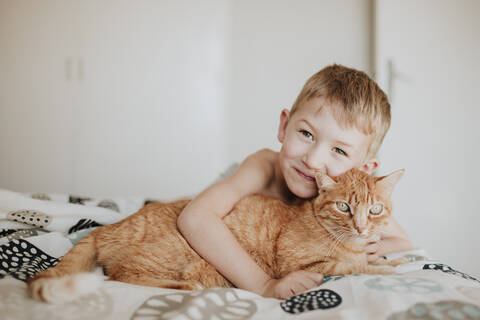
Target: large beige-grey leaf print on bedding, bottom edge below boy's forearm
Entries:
(215, 303)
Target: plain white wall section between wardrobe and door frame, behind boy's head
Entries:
(276, 47)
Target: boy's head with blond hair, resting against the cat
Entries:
(338, 122)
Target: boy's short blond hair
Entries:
(361, 103)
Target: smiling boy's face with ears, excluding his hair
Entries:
(312, 141)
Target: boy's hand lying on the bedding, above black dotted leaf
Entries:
(294, 283)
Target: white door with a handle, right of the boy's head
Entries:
(435, 51)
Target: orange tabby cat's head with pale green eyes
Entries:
(355, 203)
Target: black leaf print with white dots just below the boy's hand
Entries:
(313, 300)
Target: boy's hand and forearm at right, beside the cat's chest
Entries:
(393, 239)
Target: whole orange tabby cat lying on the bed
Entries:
(326, 235)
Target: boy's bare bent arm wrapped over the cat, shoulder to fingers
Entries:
(201, 225)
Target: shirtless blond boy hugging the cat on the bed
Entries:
(337, 123)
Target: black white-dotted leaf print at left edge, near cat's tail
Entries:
(22, 260)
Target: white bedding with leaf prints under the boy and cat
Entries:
(37, 230)
